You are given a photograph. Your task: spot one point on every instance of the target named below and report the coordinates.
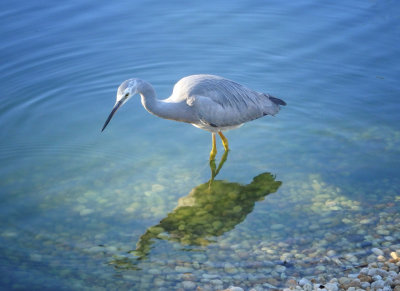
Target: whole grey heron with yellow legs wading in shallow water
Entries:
(208, 102)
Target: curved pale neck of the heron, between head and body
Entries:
(163, 108)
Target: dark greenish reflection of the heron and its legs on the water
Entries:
(210, 210)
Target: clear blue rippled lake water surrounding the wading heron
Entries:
(75, 202)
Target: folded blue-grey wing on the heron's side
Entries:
(226, 103)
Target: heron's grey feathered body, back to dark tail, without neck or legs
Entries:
(222, 103)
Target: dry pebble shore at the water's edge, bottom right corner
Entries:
(382, 274)
